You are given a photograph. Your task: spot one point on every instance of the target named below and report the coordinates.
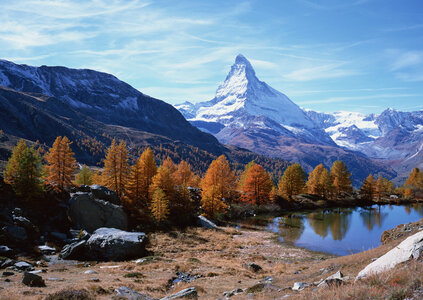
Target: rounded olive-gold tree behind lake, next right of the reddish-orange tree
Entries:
(292, 181)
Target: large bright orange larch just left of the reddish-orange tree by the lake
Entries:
(217, 186)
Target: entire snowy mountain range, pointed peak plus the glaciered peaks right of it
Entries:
(248, 113)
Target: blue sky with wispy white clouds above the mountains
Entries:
(329, 55)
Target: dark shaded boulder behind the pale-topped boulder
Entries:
(89, 213)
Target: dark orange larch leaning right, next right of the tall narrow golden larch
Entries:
(140, 179)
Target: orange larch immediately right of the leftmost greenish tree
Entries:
(61, 164)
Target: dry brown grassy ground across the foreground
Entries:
(214, 261)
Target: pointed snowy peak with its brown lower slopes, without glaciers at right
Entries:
(248, 113)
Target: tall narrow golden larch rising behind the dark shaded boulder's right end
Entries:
(116, 167)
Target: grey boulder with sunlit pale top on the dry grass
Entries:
(116, 245)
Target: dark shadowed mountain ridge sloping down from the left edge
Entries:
(91, 108)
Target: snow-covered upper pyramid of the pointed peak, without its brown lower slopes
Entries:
(243, 101)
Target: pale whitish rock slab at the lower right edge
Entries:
(412, 247)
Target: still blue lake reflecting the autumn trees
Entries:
(342, 231)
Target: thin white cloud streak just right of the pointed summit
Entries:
(320, 72)
